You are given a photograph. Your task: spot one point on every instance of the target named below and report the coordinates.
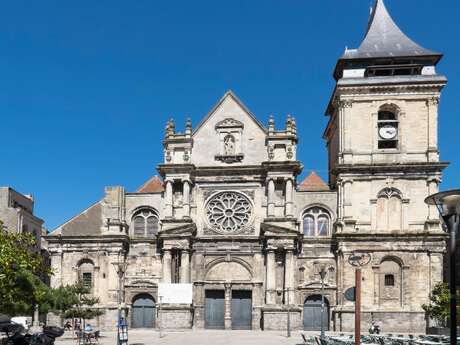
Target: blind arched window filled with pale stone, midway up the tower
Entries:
(389, 210)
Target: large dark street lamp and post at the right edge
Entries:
(448, 205)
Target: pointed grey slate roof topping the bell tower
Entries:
(385, 39)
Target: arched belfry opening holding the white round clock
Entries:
(387, 128)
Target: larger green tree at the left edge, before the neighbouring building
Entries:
(20, 268)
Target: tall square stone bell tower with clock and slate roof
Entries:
(382, 139)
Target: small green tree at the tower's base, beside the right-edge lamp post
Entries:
(438, 308)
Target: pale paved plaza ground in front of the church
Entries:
(201, 337)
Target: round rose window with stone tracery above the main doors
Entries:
(228, 211)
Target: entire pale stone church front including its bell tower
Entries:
(229, 217)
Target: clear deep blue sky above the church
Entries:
(86, 87)
